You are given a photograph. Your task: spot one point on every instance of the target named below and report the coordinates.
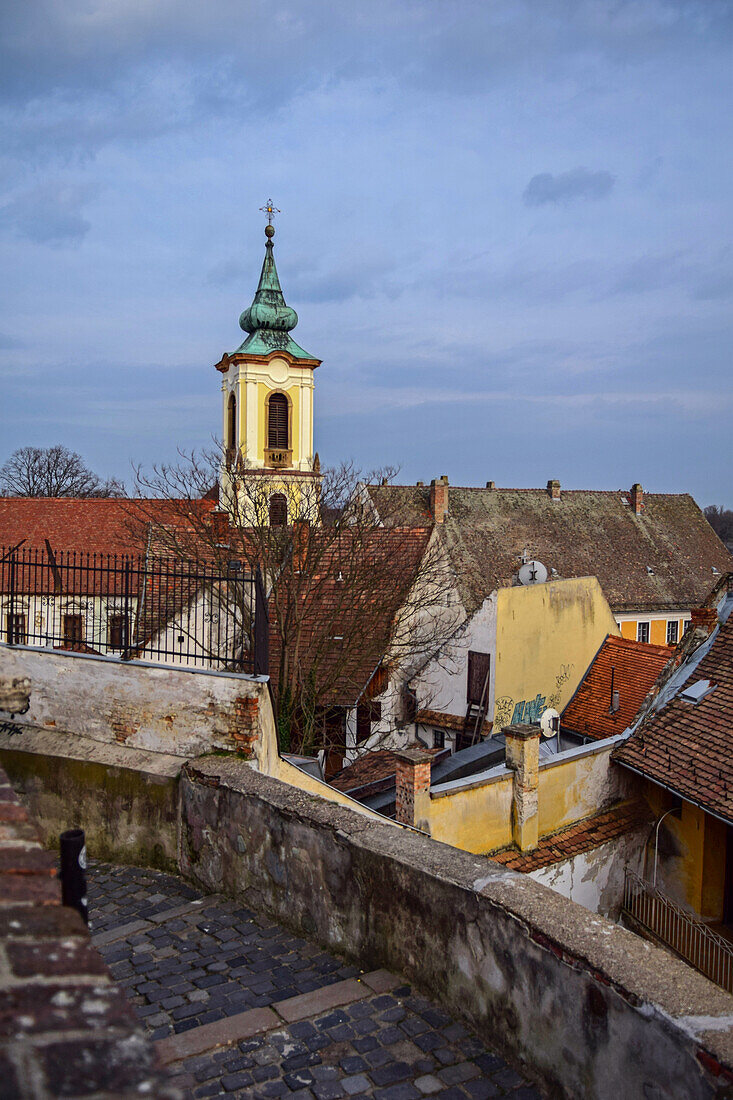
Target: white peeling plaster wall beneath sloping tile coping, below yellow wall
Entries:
(596, 879)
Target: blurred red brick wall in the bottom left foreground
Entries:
(67, 1030)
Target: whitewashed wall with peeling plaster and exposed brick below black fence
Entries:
(184, 712)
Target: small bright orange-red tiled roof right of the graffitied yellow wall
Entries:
(637, 666)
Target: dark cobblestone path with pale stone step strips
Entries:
(245, 1009)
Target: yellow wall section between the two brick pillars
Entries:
(478, 819)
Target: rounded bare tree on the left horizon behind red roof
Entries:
(53, 471)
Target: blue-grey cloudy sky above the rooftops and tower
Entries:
(506, 229)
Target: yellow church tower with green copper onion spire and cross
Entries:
(267, 389)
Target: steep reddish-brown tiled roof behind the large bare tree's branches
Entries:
(348, 625)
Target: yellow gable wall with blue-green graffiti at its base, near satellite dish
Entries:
(548, 635)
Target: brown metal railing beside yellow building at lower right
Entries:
(685, 934)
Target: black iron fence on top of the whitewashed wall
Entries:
(193, 614)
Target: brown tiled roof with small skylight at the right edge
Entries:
(690, 746)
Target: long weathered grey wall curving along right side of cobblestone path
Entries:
(594, 1010)
